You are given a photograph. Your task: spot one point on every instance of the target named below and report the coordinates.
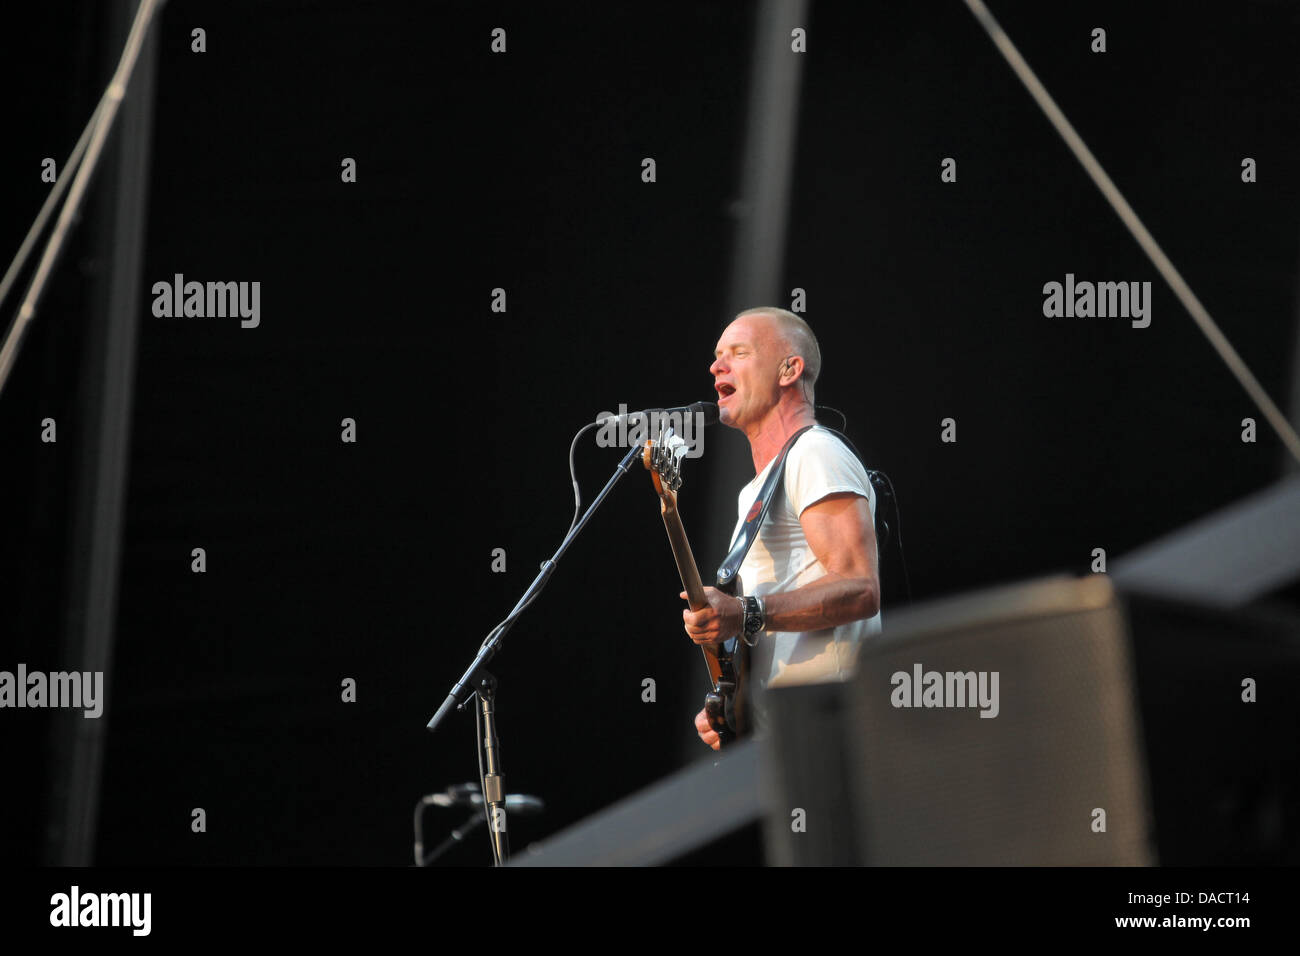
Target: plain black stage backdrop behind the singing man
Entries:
(374, 560)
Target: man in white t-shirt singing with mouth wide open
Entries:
(812, 579)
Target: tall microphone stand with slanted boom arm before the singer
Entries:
(484, 684)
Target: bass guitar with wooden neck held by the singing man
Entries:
(727, 663)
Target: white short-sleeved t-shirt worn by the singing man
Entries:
(781, 560)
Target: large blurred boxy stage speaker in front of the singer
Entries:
(995, 729)
